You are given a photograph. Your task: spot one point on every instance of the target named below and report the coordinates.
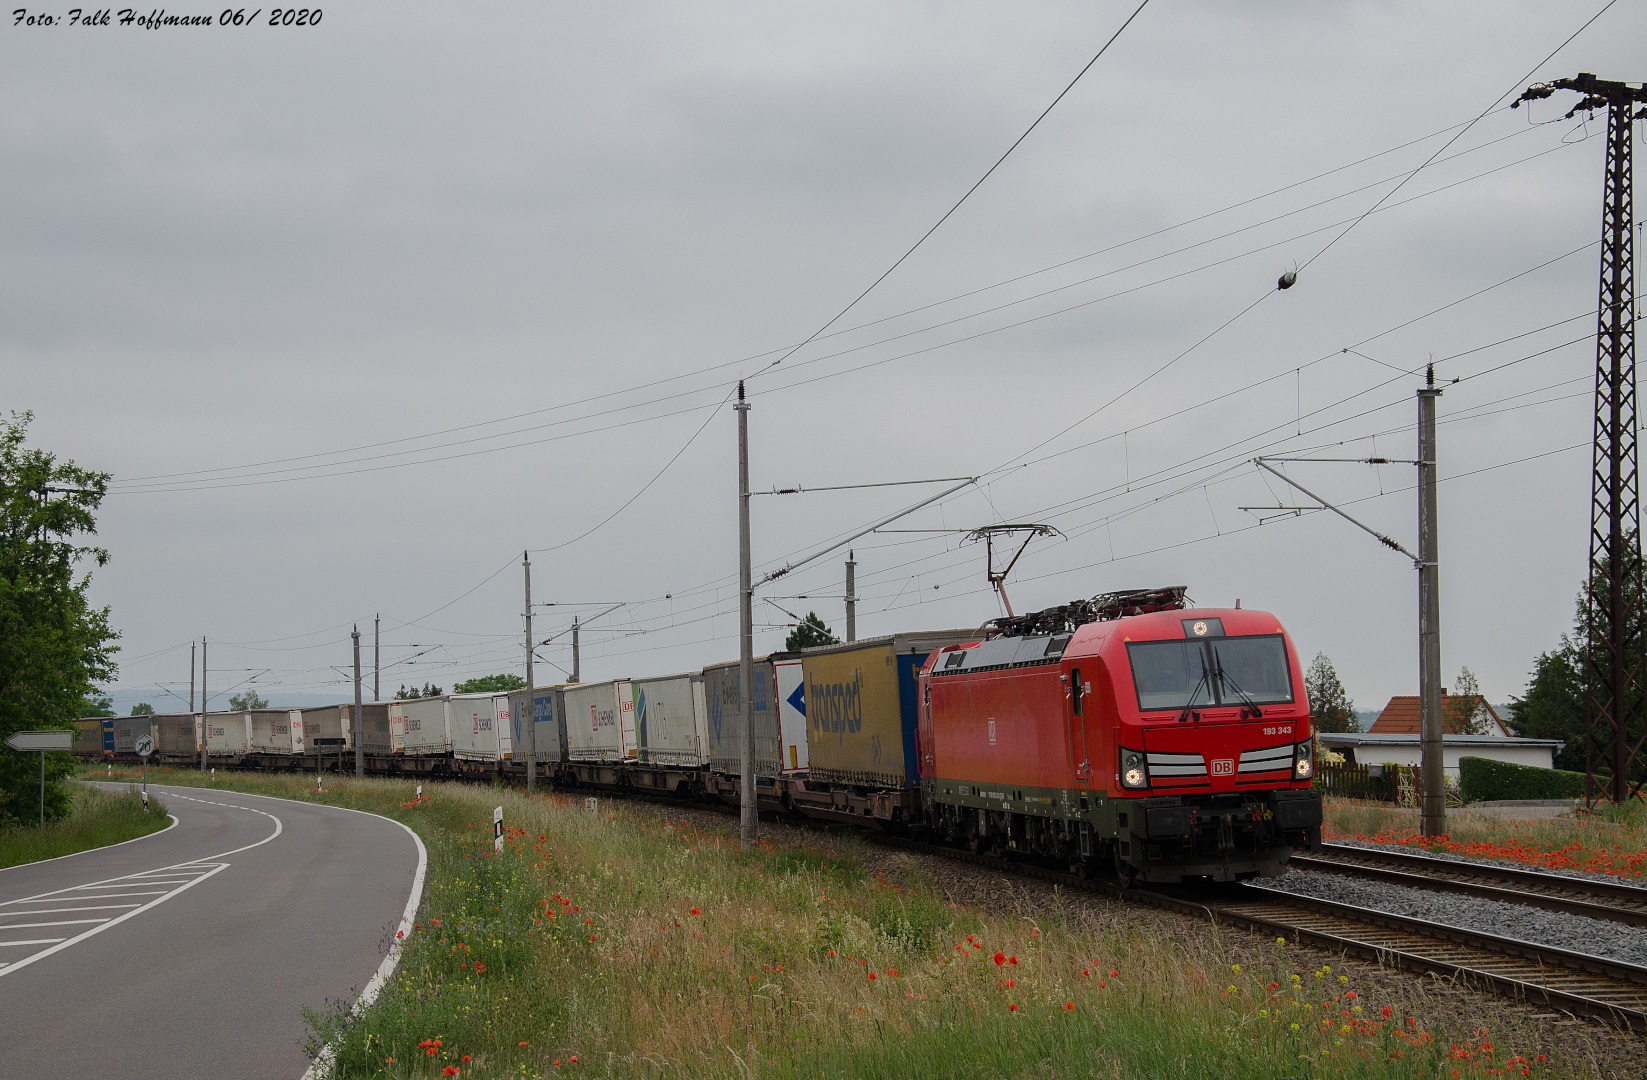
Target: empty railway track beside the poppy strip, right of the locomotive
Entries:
(1574, 896)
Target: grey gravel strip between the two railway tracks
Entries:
(1531, 924)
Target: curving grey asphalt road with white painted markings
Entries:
(192, 952)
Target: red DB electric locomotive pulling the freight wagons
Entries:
(1124, 732)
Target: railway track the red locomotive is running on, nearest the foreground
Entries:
(1577, 984)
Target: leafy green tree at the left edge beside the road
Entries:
(55, 648)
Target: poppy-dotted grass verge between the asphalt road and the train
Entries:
(617, 943)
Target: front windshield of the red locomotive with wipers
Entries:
(1221, 671)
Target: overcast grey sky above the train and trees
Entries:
(358, 312)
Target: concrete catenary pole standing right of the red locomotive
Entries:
(1432, 799)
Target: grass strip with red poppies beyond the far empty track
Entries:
(1612, 844)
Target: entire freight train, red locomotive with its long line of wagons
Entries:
(1127, 733)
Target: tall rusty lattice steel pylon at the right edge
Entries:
(1613, 602)
